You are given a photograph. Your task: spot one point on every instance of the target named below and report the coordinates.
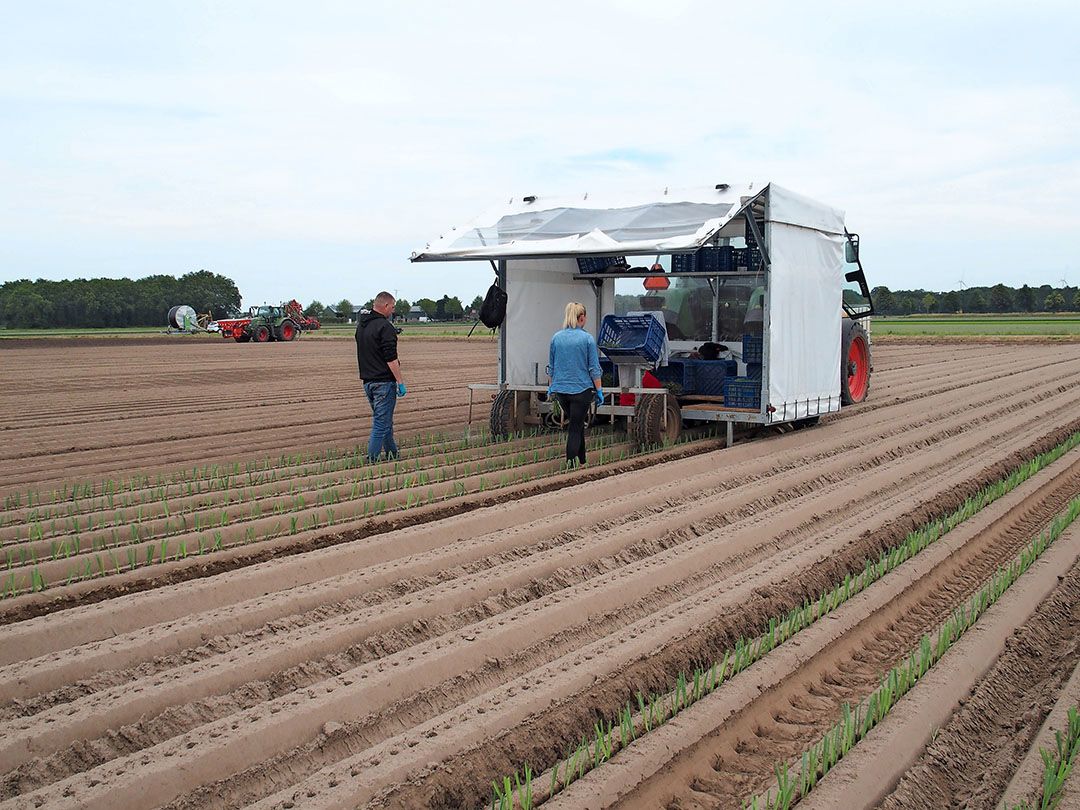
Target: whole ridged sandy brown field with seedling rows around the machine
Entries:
(212, 604)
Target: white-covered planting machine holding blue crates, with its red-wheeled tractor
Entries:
(750, 308)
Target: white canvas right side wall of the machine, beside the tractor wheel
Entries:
(804, 330)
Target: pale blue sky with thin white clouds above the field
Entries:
(307, 150)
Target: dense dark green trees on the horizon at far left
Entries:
(114, 303)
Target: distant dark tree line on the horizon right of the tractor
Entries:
(998, 299)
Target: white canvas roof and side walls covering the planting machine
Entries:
(537, 241)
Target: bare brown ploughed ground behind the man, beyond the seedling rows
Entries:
(72, 410)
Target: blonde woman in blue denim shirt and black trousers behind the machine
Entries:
(574, 366)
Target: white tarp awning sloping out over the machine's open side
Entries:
(666, 222)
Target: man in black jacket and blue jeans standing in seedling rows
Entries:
(381, 372)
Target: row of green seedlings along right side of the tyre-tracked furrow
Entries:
(855, 724)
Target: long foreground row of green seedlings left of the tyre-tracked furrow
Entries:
(659, 708)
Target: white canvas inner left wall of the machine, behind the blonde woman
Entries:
(537, 294)
